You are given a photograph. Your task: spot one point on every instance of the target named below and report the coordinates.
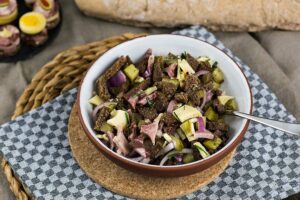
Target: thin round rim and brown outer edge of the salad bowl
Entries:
(212, 159)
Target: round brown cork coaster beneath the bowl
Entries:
(124, 182)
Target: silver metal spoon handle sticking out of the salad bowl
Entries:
(283, 126)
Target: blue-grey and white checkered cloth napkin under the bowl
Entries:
(266, 165)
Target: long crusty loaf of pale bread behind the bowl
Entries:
(227, 15)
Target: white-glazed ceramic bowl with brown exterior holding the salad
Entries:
(235, 84)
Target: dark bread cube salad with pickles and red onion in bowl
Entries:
(162, 110)
